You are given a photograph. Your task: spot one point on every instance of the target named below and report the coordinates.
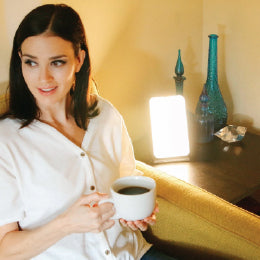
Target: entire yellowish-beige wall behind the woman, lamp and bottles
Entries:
(133, 46)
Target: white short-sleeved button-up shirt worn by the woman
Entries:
(42, 173)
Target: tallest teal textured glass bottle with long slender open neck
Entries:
(216, 104)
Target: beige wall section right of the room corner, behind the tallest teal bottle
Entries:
(238, 25)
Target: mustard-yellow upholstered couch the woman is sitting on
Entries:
(195, 224)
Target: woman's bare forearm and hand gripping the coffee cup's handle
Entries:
(85, 215)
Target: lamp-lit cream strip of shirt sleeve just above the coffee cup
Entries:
(127, 163)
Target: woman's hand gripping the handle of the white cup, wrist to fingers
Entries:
(87, 216)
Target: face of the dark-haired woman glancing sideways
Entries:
(49, 65)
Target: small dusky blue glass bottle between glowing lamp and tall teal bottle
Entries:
(204, 119)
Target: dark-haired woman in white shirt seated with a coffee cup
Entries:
(60, 150)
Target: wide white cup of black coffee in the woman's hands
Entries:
(135, 206)
